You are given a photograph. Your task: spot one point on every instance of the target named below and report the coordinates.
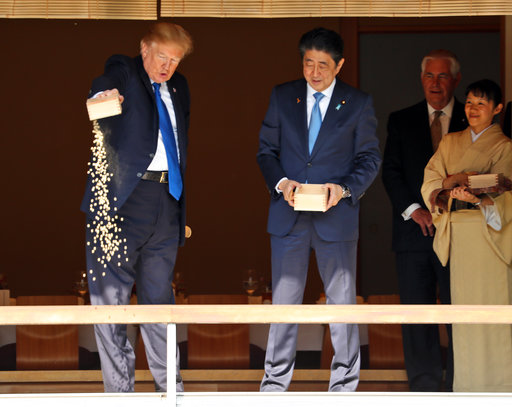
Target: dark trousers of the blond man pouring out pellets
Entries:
(150, 225)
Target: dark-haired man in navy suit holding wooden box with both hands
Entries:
(343, 156)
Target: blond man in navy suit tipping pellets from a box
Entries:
(146, 153)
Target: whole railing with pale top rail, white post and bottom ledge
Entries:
(254, 314)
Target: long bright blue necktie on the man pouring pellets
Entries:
(175, 182)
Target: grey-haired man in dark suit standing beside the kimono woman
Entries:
(413, 136)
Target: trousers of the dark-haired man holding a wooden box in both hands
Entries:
(337, 267)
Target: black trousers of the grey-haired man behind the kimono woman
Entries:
(419, 276)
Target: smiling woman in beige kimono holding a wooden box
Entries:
(474, 232)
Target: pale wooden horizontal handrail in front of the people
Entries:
(256, 314)
